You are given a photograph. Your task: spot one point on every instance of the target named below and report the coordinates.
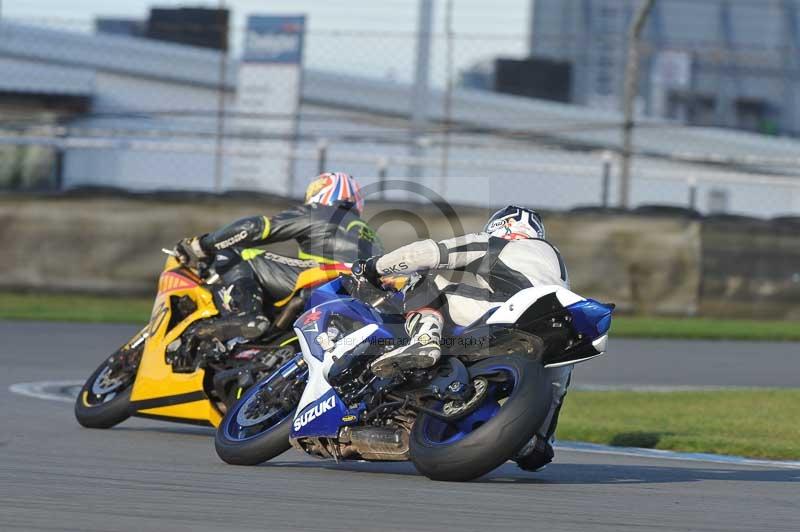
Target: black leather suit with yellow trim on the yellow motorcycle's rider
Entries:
(251, 280)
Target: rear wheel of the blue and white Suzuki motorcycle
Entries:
(514, 404)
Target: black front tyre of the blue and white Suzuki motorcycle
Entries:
(257, 450)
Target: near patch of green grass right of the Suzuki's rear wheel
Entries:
(748, 422)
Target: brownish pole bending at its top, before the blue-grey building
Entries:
(629, 99)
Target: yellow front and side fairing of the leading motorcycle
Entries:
(158, 391)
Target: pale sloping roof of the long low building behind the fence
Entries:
(63, 63)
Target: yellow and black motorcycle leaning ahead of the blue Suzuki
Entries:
(140, 379)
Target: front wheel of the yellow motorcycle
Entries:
(105, 397)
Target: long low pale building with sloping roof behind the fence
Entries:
(144, 115)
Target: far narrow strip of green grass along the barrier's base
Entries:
(60, 307)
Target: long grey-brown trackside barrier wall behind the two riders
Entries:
(646, 264)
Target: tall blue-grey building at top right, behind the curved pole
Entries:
(727, 63)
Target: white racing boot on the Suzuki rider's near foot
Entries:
(423, 351)
